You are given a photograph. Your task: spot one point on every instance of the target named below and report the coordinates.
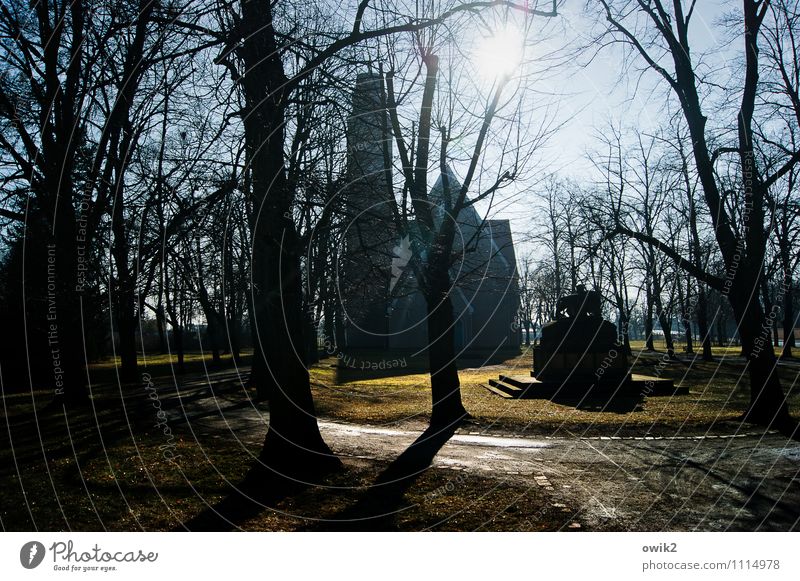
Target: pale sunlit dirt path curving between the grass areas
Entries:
(738, 481)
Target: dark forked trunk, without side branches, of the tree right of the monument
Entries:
(742, 249)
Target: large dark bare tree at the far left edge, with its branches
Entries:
(45, 78)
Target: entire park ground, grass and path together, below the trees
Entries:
(638, 463)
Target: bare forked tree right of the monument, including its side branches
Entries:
(742, 246)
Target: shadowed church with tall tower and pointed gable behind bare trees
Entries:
(384, 308)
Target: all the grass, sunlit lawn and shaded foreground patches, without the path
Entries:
(100, 467)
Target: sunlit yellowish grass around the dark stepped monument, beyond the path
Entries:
(718, 393)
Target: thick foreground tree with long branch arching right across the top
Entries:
(258, 36)
